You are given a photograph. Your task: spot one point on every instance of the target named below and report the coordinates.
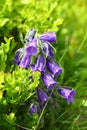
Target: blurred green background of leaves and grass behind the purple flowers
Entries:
(69, 20)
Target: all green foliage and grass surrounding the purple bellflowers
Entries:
(68, 19)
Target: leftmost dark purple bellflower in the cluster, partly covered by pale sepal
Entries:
(18, 56)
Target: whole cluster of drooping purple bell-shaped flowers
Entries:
(40, 47)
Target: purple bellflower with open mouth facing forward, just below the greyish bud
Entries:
(31, 48)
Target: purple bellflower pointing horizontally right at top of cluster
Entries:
(48, 37)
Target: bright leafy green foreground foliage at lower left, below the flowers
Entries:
(15, 90)
